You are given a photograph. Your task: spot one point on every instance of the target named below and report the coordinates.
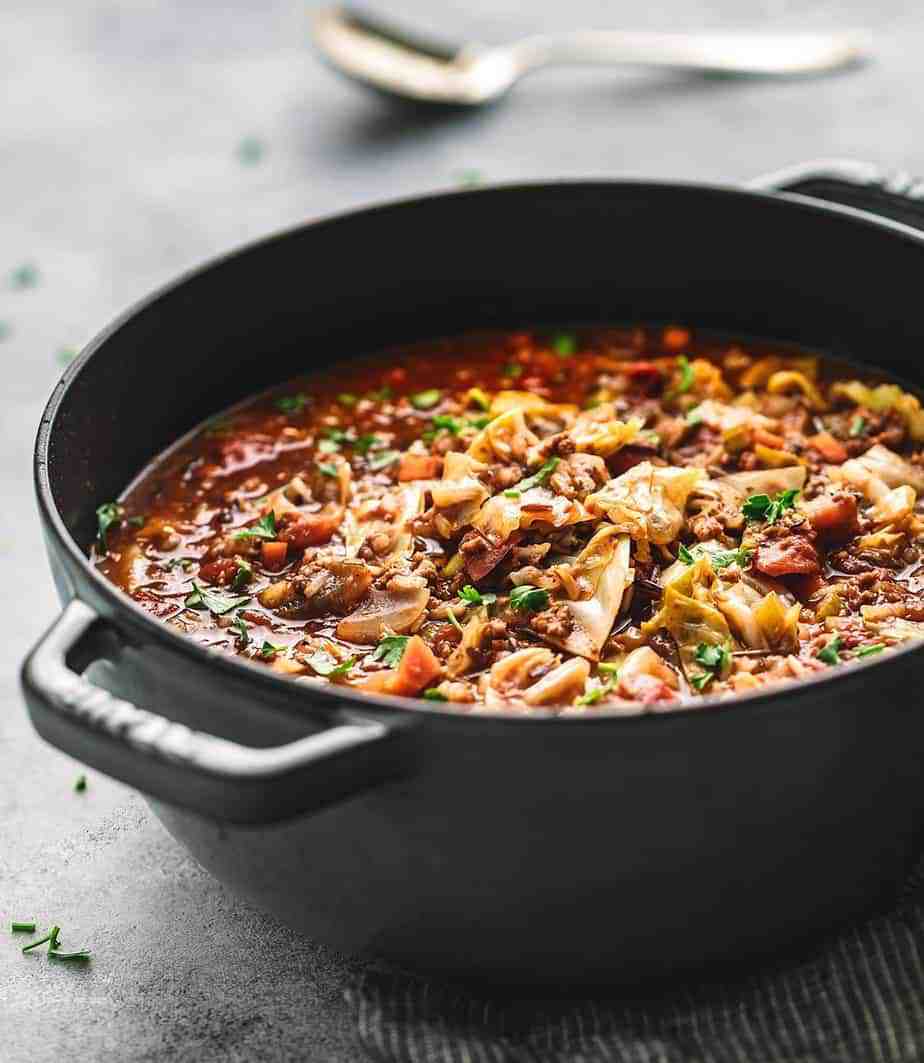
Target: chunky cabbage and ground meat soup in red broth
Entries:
(570, 522)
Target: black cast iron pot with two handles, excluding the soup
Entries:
(512, 850)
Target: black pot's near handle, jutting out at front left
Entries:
(169, 761)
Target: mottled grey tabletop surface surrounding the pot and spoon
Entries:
(120, 130)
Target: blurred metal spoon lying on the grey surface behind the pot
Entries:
(404, 65)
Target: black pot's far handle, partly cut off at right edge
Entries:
(894, 195)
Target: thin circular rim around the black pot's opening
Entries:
(339, 698)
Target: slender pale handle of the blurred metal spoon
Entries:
(721, 53)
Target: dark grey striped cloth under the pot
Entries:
(858, 998)
